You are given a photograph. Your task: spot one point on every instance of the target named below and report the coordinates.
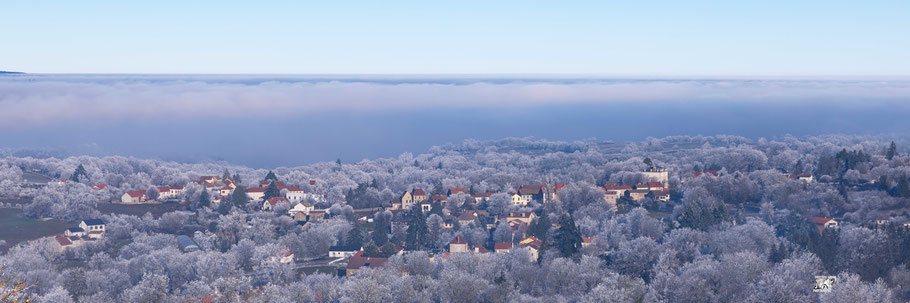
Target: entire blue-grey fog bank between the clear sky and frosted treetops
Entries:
(268, 121)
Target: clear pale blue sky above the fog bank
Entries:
(644, 38)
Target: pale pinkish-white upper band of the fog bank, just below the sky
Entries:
(40, 100)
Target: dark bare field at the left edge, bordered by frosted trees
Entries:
(15, 228)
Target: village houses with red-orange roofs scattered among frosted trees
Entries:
(345, 259)
